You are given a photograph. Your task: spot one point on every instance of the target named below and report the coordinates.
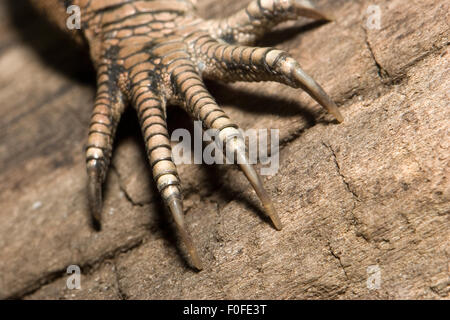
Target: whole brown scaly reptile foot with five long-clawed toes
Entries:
(151, 53)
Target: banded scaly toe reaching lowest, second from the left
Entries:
(150, 107)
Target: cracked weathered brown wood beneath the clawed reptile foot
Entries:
(364, 204)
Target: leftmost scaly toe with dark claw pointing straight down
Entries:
(109, 106)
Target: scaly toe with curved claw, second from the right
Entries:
(241, 63)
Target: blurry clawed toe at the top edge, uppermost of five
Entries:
(250, 24)
